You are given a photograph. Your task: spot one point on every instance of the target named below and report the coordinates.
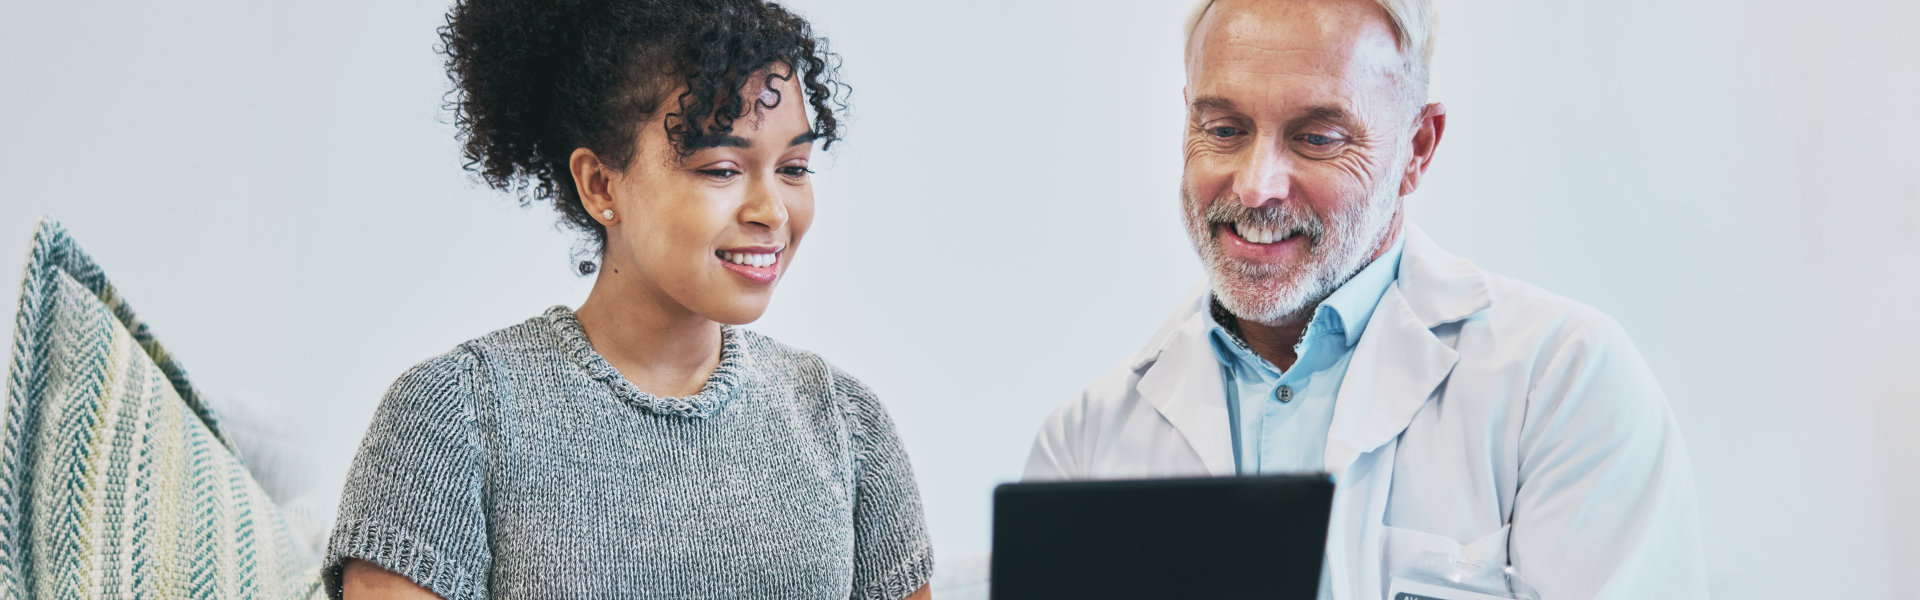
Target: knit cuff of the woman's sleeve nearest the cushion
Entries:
(400, 553)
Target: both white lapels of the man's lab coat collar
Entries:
(1395, 368)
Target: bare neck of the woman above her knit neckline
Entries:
(656, 343)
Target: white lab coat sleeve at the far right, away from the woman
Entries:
(1606, 503)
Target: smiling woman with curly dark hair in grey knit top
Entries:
(640, 447)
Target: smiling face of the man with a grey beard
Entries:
(1299, 128)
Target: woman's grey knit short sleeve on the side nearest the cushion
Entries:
(414, 497)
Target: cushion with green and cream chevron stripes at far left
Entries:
(114, 476)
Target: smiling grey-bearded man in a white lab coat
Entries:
(1462, 414)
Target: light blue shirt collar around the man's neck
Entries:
(1345, 312)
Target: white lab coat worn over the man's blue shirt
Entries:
(1479, 414)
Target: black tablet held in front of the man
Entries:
(1214, 537)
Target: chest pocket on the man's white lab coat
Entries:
(1420, 561)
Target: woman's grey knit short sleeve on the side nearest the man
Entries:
(892, 551)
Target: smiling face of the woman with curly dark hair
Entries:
(713, 232)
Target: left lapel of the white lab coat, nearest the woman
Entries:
(1186, 387)
